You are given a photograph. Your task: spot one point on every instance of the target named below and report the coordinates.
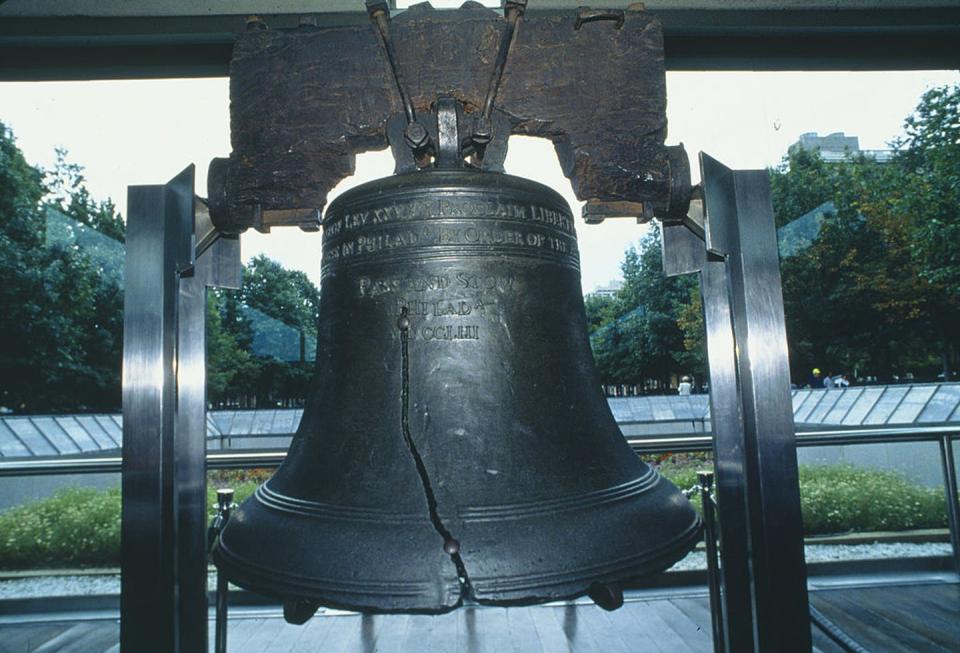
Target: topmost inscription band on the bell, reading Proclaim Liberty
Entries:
(449, 207)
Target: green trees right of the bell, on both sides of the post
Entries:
(876, 292)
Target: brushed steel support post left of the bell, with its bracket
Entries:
(172, 256)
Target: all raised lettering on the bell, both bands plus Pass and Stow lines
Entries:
(453, 305)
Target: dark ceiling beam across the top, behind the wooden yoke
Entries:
(53, 47)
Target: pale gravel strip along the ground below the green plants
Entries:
(106, 584)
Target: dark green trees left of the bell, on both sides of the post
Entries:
(61, 322)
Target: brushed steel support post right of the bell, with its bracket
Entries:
(763, 573)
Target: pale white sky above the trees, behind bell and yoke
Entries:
(145, 131)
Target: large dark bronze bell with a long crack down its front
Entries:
(456, 445)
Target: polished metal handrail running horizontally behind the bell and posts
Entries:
(684, 442)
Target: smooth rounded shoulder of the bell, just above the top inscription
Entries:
(443, 179)
